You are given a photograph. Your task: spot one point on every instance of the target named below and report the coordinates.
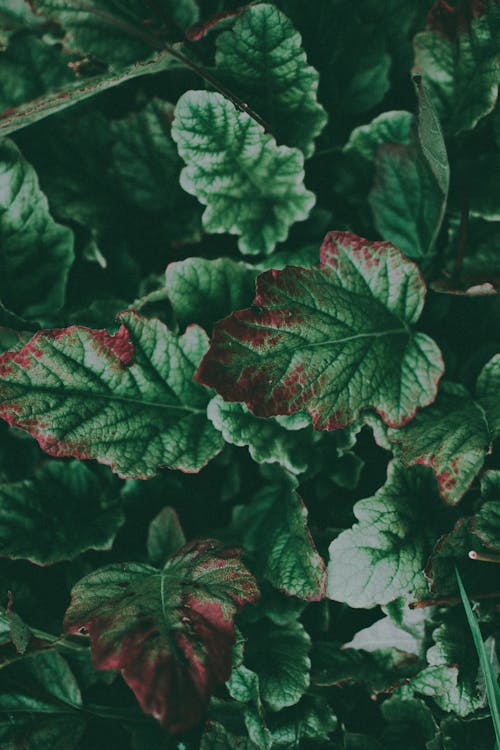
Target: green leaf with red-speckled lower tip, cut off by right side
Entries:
(455, 434)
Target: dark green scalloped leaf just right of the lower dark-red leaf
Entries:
(281, 660)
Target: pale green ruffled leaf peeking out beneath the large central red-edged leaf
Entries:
(267, 440)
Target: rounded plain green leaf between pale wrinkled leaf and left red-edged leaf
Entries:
(203, 291)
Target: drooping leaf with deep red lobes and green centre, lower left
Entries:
(169, 631)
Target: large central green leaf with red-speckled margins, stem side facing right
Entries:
(334, 340)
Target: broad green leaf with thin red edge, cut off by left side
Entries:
(127, 400)
